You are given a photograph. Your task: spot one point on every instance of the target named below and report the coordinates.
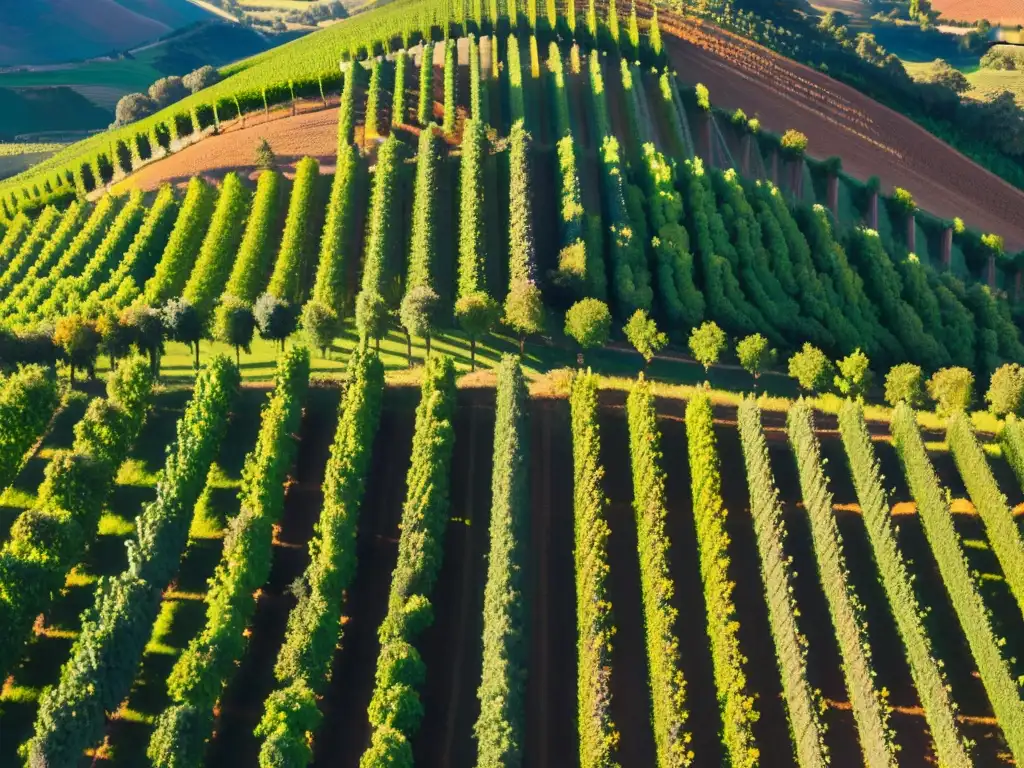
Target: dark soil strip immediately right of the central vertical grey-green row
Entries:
(551, 678)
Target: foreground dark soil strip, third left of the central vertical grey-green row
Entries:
(242, 703)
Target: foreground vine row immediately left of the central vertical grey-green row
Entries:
(396, 710)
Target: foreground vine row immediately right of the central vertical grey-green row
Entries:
(599, 737)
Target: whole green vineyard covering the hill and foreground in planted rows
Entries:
(214, 560)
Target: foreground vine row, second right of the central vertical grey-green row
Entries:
(668, 687)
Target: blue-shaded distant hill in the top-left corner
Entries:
(44, 32)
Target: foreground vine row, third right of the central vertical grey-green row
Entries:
(738, 707)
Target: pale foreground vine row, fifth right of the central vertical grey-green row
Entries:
(871, 710)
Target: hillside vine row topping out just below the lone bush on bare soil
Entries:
(253, 263)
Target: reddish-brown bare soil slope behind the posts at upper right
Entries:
(871, 139)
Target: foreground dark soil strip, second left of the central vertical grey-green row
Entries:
(346, 731)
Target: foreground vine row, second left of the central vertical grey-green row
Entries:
(314, 626)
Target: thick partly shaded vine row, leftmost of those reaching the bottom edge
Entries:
(105, 658)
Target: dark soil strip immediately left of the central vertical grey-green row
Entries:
(452, 647)
